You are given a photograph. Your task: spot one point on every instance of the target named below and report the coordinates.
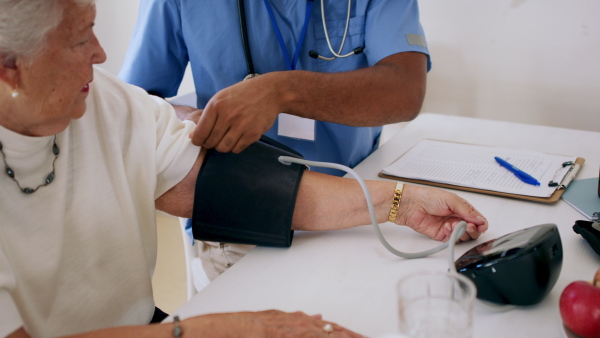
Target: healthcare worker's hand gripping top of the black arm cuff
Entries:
(238, 115)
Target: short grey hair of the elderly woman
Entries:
(24, 25)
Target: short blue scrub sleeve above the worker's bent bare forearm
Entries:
(393, 26)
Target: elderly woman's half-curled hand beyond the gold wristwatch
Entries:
(436, 212)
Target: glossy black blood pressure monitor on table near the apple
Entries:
(519, 268)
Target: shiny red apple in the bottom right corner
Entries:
(580, 307)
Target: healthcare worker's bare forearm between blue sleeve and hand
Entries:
(389, 92)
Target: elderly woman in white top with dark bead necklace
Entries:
(88, 159)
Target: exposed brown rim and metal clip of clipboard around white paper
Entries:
(553, 198)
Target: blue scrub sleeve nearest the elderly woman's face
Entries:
(157, 54)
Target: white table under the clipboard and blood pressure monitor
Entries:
(350, 278)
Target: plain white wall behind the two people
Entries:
(530, 61)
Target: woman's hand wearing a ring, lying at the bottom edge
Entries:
(271, 323)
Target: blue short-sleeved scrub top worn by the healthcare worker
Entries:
(206, 33)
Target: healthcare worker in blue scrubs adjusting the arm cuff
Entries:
(331, 74)
